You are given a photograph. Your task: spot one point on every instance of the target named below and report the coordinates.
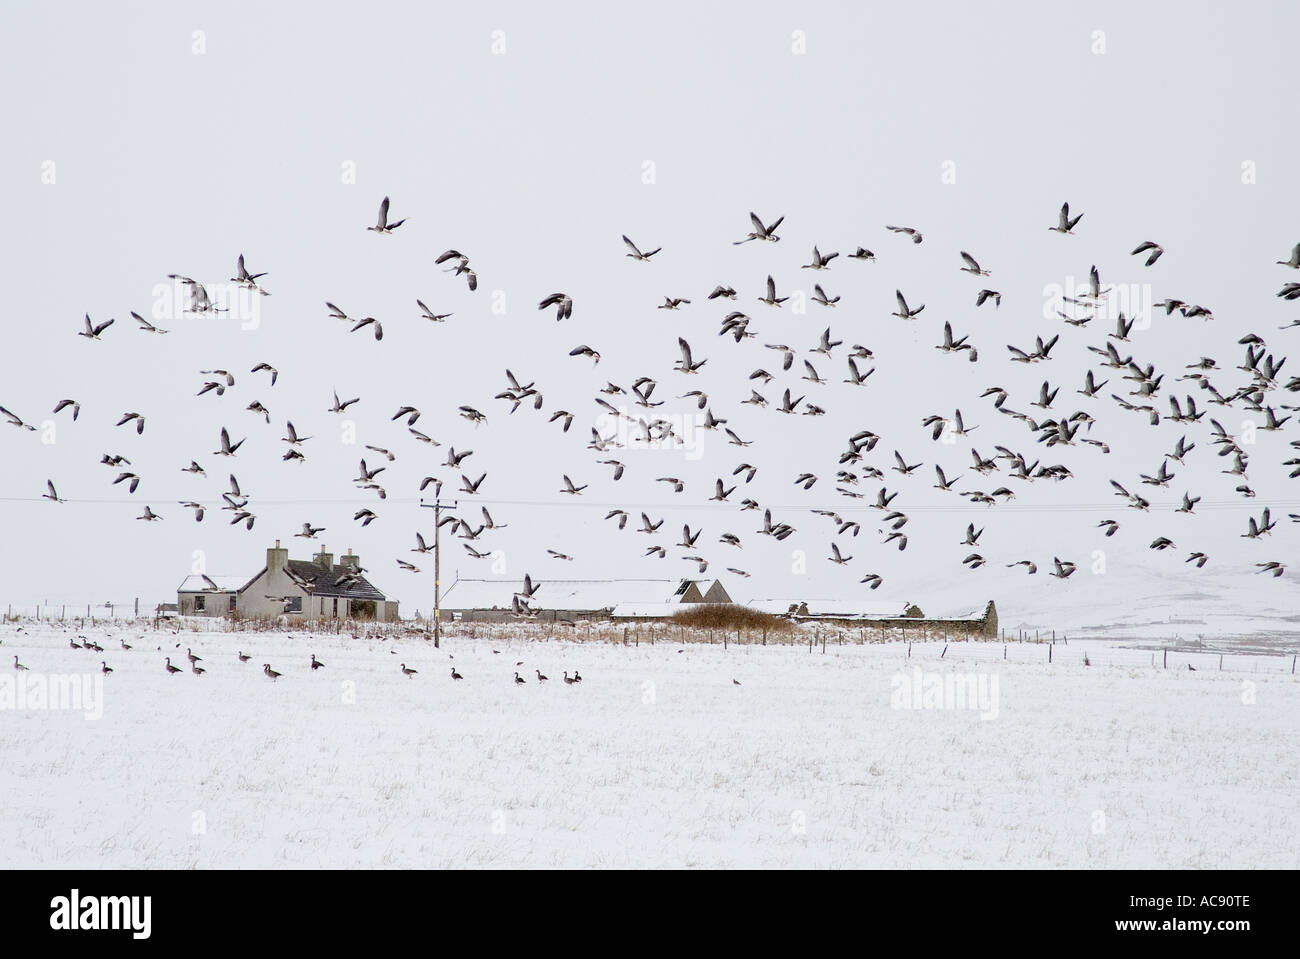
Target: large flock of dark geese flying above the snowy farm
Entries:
(1150, 400)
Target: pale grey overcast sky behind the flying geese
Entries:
(146, 140)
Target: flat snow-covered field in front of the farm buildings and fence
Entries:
(657, 760)
